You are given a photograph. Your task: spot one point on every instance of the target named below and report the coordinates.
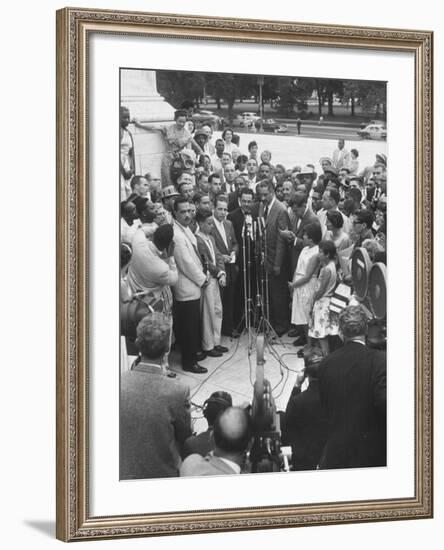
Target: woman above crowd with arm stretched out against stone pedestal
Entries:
(176, 138)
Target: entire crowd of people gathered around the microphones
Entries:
(186, 244)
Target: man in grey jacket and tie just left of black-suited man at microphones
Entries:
(226, 243)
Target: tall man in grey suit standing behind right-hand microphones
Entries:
(274, 218)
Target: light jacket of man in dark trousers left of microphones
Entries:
(190, 274)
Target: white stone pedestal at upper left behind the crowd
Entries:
(139, 94)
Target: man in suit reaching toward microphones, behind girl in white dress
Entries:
(301, 216)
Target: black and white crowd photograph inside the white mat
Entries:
(253, 268)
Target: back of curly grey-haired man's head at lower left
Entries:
(153, 335)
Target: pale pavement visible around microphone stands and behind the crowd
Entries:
(234, 372)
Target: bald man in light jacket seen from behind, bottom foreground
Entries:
(232, 434)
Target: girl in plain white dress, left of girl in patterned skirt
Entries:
(304, 281)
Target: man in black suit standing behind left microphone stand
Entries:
(242, 220)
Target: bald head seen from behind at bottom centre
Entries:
(232, 432)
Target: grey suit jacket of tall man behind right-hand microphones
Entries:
(277, 218)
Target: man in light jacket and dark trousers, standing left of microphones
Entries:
(187, 291)
